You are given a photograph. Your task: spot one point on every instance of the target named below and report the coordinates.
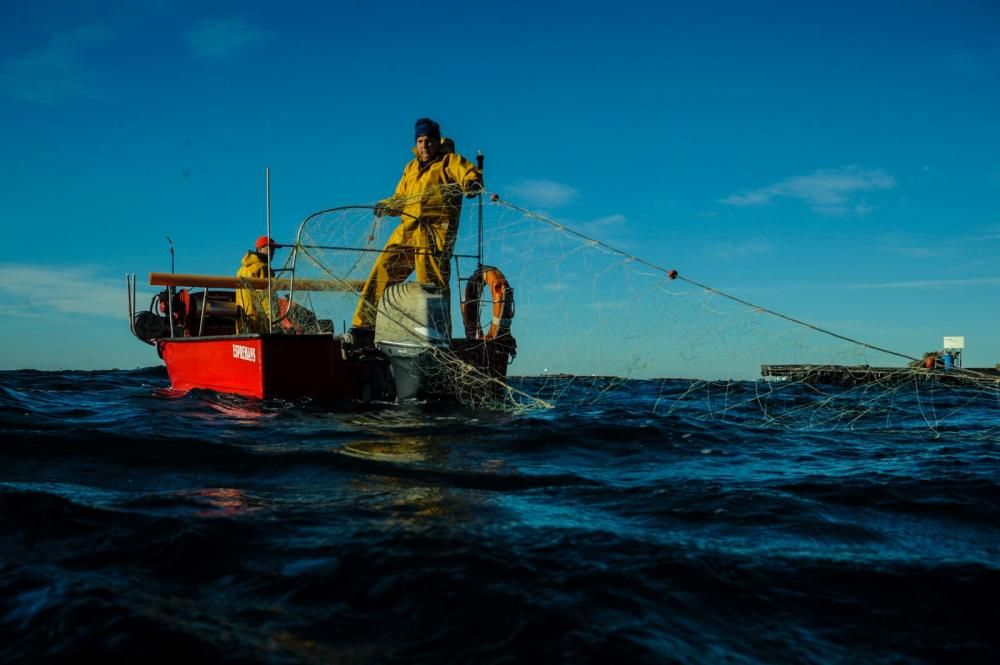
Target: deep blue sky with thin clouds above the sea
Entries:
(837, 161)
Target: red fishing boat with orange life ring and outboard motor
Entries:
(195, 322)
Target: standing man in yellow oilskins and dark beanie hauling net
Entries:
(428, 200)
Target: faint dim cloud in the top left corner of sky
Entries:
(55, 72)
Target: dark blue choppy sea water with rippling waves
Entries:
(138, 526)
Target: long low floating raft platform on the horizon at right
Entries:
(853, 375)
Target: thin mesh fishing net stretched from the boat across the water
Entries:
(595, 325)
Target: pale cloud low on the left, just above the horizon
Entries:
(32, 291)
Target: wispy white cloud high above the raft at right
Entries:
(825, 191)
